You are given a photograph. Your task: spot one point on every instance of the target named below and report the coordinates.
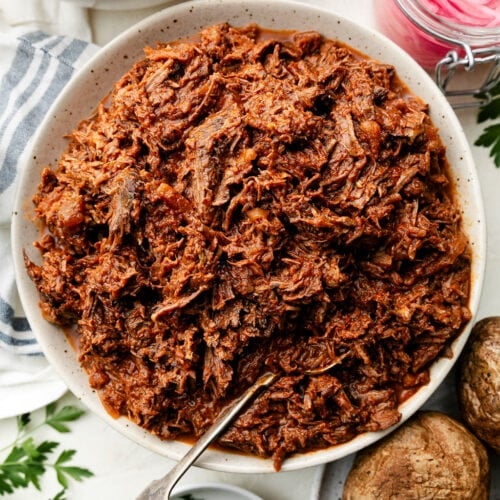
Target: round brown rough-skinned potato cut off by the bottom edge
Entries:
(430, 456)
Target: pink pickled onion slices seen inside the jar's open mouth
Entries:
(481, 13)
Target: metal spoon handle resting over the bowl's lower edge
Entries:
(161, 488)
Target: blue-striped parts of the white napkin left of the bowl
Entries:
(40, 67)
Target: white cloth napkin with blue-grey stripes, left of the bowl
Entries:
(34, 67)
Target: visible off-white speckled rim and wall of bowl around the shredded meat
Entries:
(96, 79)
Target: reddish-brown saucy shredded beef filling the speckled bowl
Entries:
(248, 201)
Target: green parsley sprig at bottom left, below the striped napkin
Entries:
(28, 460)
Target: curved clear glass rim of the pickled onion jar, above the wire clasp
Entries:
(448, 30)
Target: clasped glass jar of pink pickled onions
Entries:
(445, 36)
